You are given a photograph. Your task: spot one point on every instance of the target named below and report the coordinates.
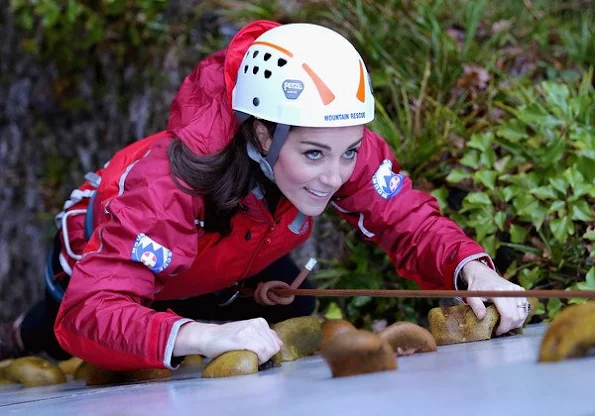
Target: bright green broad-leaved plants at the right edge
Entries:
(531, 185)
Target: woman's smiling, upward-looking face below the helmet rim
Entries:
(314, 163)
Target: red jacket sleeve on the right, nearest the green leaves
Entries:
(406, 223)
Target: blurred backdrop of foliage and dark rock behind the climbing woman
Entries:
(489, 106)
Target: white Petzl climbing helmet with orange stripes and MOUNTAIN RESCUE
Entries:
(304, 75)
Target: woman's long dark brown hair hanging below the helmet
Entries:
(223, 179)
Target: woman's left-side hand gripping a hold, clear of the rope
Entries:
(211, 340)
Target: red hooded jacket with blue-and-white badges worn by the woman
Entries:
(148, 243)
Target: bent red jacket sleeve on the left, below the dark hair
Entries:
(148, 233)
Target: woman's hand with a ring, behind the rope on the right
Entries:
(512, 311)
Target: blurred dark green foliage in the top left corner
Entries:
(74, 27)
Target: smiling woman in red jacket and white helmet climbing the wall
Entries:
(261, 137)
